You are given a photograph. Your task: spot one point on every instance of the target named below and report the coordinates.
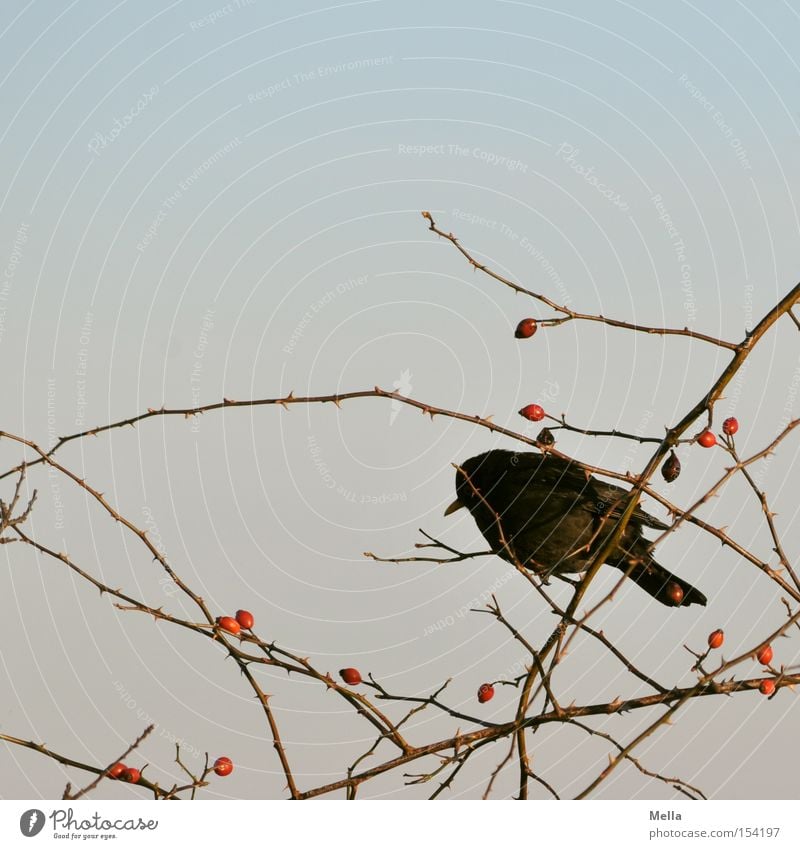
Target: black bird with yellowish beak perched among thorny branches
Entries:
(551, 516)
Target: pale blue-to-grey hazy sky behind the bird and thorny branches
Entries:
(200, 200)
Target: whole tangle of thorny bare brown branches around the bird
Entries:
(387, 713)
